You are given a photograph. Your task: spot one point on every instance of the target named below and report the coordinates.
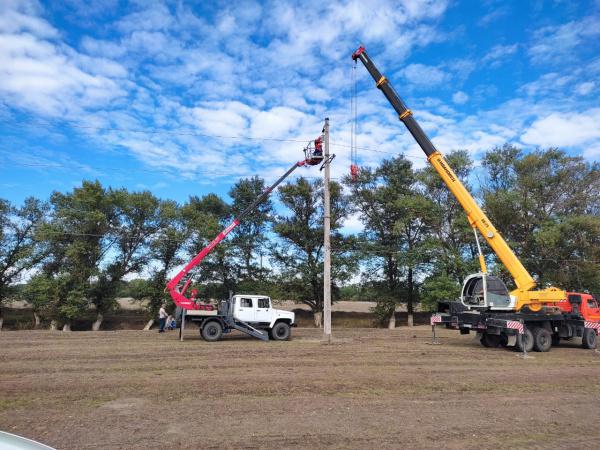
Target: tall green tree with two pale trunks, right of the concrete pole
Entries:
(397, 218)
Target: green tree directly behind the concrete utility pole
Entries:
(299, 251)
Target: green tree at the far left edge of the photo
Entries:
(20, 249)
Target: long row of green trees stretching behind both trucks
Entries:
(72, 252)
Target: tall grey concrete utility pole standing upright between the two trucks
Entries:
(326, 240)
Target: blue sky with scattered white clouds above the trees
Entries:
(137, 94)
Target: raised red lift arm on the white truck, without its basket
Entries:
(180, 283)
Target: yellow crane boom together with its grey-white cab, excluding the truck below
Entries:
(480, 290)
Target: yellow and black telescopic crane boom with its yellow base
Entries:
(524, 294)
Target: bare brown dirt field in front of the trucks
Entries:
(369, 389)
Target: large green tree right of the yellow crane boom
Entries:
(532, 197)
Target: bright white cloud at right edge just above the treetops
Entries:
(564, 129)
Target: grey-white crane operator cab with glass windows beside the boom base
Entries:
(484, 291)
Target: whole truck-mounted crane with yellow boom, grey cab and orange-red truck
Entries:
(486, 304)
